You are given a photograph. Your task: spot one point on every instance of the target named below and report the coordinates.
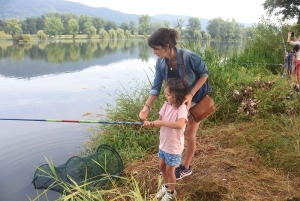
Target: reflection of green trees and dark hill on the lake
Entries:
(55, 57)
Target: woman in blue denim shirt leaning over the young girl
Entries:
(169, 65)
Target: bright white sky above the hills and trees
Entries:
(246, 11)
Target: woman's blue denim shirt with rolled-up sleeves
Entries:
(194, 67)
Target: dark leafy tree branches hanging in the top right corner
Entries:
(289, 9)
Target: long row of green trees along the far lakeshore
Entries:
(57, 24)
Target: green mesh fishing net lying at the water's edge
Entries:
(94, 169)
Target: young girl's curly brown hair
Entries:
(178, 87)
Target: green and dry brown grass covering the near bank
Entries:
(249, 149)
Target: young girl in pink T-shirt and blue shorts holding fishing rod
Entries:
(172, 122)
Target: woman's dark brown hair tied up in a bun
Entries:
(162, 37)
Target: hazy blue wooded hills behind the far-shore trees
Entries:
(30, 8)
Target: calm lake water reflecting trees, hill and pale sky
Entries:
(62, 80)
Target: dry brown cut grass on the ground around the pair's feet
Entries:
(221, 172)
